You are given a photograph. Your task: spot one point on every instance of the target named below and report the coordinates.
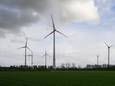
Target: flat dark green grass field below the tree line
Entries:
(57, 78)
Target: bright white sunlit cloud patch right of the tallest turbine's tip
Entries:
(79, 10)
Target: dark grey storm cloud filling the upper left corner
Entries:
(17, 13)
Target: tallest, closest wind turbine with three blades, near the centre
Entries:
(54, 33)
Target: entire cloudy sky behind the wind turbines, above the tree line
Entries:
(87, 23)
